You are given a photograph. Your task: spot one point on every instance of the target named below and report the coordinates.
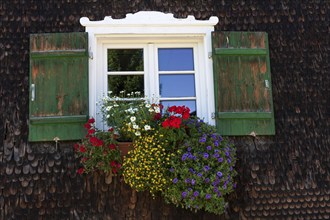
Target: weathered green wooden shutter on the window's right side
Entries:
(243, 94)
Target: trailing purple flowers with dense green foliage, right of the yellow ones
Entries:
(202, 170)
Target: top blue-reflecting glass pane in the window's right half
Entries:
(171, 59)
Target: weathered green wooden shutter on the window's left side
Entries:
(58, 86)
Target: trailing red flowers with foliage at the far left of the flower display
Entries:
(98, 151)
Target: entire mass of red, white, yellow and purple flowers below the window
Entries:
(174, 154)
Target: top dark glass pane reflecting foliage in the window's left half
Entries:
(125, 59)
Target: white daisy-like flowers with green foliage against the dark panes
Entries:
(130, 115)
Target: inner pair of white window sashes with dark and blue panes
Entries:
(166, 72)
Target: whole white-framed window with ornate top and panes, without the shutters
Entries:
(153, 52)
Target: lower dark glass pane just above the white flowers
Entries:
(128, 83)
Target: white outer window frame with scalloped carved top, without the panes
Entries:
(155, 27)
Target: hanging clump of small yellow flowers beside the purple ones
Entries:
(146, 166)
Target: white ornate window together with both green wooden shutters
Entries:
(224, 77)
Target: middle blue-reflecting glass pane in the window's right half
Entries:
(177, 85)
